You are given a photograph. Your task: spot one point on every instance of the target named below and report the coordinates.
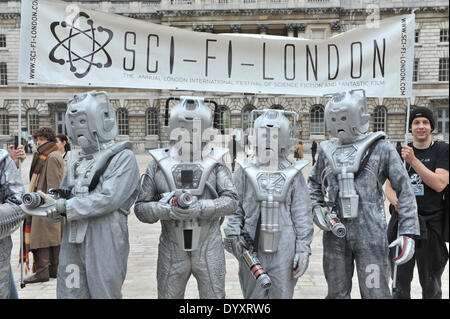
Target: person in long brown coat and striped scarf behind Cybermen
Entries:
(47, 171)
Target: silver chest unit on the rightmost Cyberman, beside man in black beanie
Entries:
(345, 160)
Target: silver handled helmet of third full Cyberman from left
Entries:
(273, 127)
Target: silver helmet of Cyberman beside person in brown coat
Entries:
(90, 120)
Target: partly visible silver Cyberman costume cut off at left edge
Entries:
(11, 190)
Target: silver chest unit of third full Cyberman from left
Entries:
(271, 190)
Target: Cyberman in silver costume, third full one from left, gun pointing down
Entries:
(274, 210)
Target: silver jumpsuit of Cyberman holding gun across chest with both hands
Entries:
(207, 263)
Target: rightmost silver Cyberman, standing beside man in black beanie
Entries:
(347, 181)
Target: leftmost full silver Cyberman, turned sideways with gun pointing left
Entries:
(103, 179)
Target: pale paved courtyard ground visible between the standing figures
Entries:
(141, 277)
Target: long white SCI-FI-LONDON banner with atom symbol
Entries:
(63, 43)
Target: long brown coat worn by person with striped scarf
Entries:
(45, 232)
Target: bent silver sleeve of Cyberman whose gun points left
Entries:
(116, 189)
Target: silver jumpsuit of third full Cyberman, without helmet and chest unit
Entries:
(296, 235)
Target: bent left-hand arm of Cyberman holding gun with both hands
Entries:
(146, 209)
